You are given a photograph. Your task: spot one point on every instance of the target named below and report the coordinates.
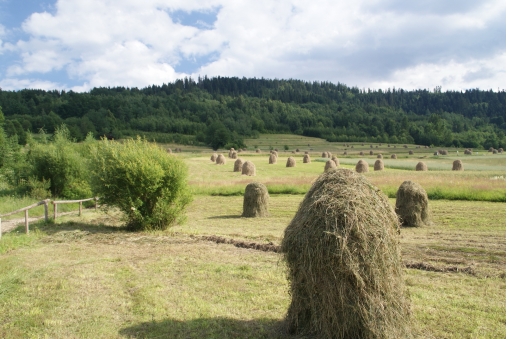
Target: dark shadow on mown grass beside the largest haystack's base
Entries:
(224, 328)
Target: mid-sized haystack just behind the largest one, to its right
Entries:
(412, 205)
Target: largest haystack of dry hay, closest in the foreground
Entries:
(344, 264)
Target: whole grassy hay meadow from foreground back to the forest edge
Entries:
(82, 277)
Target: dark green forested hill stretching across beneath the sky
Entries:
(222, 111)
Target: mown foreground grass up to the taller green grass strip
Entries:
(87, 279)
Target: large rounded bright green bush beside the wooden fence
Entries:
(143, 181)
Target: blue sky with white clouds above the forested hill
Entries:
(81, 44)
